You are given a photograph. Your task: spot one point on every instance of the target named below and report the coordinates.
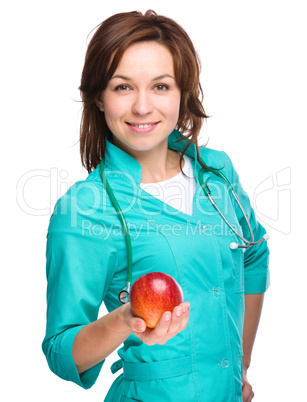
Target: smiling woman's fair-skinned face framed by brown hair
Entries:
(141, 101)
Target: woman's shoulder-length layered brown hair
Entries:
(104, 52)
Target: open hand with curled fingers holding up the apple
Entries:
(168, 326)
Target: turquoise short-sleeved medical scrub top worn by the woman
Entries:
(87, 265)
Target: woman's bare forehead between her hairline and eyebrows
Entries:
(148, 57)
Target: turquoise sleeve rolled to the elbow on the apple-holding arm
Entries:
(79, 265)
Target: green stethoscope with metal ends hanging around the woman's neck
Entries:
(123, 295)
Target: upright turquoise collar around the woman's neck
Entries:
(118, 160)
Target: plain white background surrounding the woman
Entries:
(254, 80)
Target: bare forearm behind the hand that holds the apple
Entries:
(99, 339)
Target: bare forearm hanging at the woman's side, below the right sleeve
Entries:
(253, 307)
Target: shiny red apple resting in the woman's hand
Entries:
(152, 294)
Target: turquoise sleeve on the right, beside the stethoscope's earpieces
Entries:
(256, 258)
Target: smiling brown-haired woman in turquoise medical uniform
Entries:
(142, 115)
